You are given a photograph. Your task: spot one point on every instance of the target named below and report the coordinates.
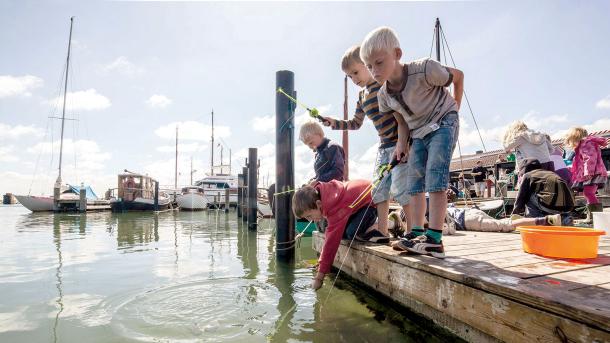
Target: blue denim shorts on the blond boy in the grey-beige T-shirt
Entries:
(430, 156)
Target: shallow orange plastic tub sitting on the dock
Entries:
(560, 241)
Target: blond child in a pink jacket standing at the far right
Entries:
(588, 170)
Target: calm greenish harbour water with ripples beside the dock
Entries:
(175, 277)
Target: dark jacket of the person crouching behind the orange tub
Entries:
(551, 190)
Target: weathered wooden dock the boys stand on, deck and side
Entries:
(489, 290)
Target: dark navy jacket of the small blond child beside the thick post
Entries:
(330, 161)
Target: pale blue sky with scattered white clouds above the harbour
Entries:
(140, 69)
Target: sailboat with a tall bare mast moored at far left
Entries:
(65, 197)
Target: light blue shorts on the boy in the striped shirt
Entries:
(395, 182)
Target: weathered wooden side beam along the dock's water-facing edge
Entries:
(504, 319)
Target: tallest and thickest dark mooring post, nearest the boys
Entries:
(284, 166)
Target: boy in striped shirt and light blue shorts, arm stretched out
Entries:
(387, 126)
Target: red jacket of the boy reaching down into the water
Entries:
(336, 197)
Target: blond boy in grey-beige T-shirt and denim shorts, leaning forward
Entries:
(418, 91)
